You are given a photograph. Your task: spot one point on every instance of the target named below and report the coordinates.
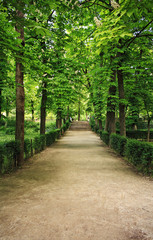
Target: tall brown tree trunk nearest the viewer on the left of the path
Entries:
(19, 134)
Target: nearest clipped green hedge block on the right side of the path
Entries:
(140, 154)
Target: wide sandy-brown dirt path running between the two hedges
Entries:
(76, 190)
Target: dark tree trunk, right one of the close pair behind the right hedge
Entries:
(121, 103)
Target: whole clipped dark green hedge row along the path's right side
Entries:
(139, 154)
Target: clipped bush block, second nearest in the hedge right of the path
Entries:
(118, 143)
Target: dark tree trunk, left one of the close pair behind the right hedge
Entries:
(110, 116)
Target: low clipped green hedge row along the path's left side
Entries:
(9, 150)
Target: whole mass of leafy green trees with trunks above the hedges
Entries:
(74, 58)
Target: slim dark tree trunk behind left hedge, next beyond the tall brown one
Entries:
(43, 109)
